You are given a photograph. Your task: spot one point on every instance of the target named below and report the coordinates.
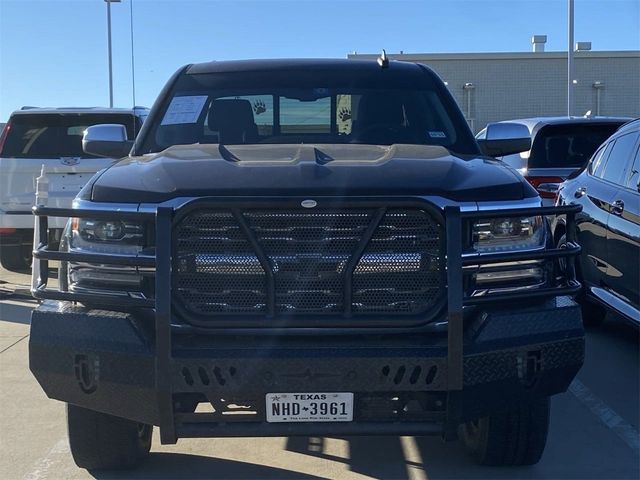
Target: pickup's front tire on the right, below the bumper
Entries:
(514, 437)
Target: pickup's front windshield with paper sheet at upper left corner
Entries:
(203, 110)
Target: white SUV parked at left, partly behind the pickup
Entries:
(49, 137)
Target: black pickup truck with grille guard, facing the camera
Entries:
(306, 247)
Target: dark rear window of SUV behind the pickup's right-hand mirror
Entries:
(568, 145)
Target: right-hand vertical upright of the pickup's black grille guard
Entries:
(454, 298)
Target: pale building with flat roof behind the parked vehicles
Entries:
(501, 86)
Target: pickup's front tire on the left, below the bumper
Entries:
(103, 442)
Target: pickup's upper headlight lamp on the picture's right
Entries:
(508, 234)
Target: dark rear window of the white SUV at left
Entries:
(55, 135)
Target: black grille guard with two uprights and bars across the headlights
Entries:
(454, 221)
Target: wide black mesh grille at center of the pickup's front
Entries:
(218, 270)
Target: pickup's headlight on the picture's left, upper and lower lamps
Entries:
(106, 237)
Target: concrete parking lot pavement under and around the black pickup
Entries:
(594, 427)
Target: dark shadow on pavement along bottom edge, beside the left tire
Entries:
(171, 466)
